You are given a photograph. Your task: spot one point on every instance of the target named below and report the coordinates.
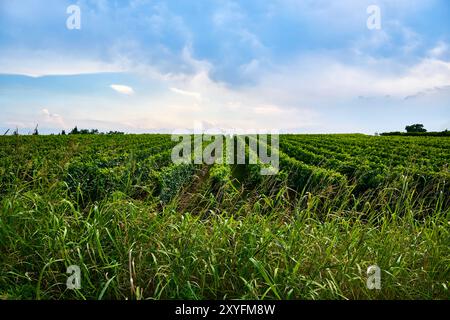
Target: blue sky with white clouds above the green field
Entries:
(311, 66)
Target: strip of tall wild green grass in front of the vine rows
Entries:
(129, 249)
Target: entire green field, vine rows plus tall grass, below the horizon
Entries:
(141, 227)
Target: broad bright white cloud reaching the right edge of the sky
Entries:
(312, 80)
